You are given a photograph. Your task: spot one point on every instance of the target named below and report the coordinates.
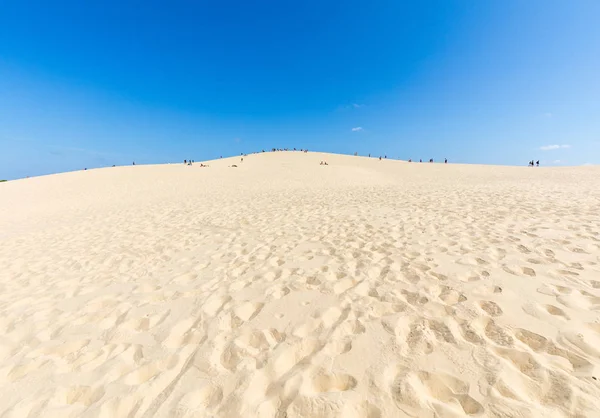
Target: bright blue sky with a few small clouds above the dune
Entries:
(96, 83)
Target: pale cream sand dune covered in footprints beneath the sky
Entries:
(283, 288)
